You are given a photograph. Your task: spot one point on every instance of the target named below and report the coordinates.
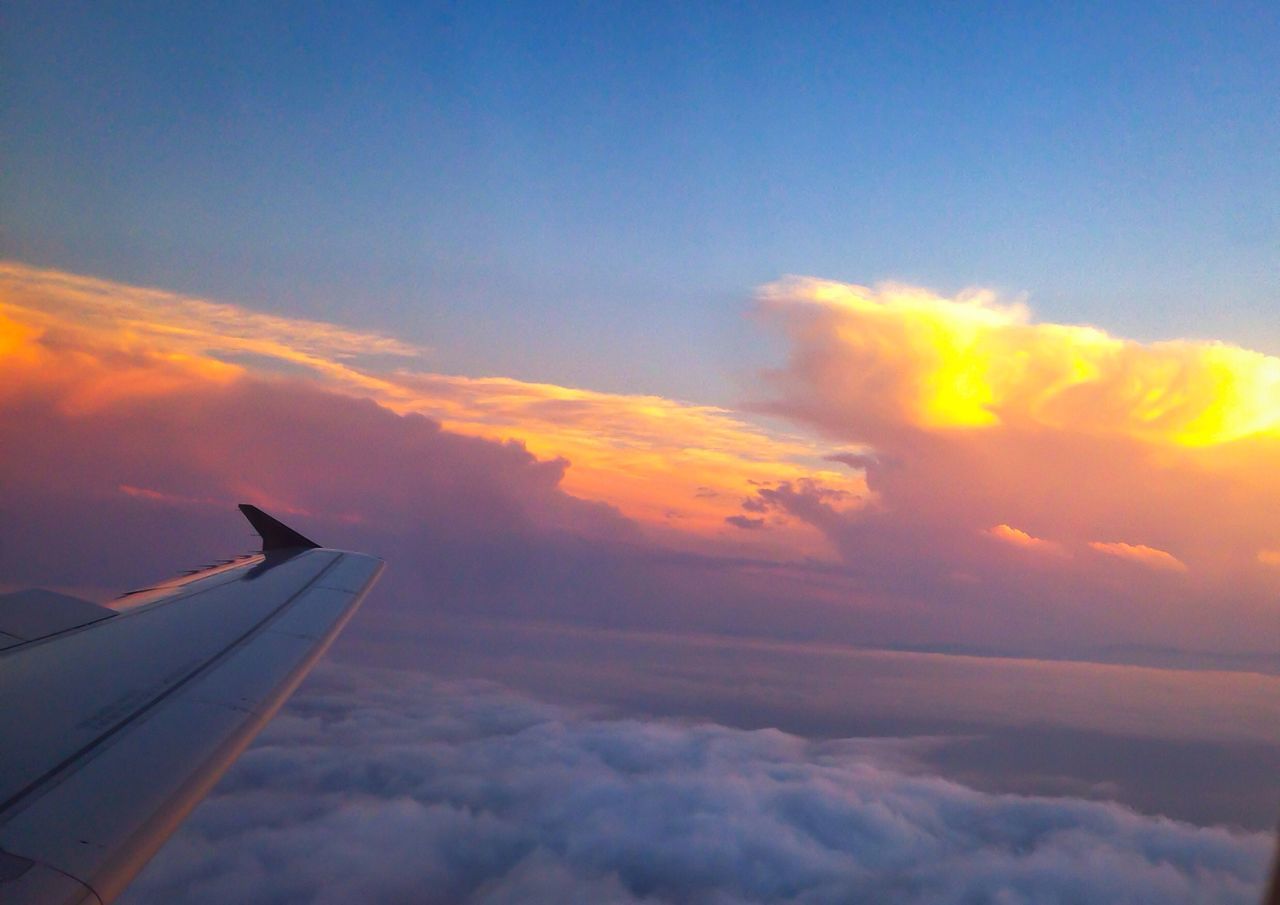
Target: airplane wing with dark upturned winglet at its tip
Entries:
(117, 721)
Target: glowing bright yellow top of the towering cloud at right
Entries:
(906, 355)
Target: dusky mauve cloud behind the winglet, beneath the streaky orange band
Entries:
(85, 485)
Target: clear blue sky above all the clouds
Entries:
(589, 194)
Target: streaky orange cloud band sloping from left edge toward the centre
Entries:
(673, 465)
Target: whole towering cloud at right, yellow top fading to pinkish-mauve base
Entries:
(980, 417)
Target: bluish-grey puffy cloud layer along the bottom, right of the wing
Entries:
(381, 788)
